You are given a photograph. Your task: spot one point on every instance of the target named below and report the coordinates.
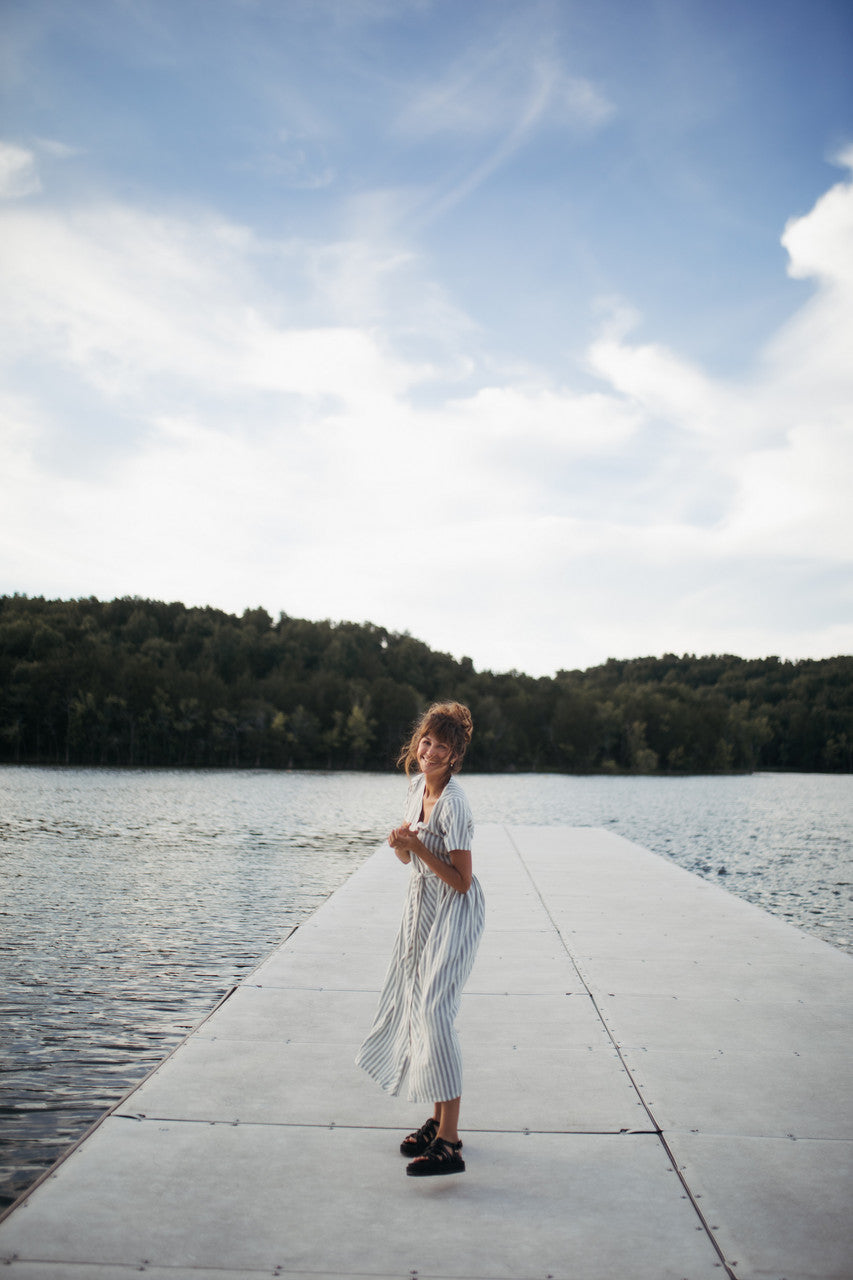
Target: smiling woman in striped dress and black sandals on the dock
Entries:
(436, 947)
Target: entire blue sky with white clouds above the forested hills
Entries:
(524, 327)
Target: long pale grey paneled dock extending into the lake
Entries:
(658, 1085)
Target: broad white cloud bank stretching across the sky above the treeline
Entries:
(288, 450)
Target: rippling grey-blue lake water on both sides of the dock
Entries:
(133, 900)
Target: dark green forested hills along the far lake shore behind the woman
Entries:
(143, 683)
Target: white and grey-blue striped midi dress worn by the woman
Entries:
(432, 959)
